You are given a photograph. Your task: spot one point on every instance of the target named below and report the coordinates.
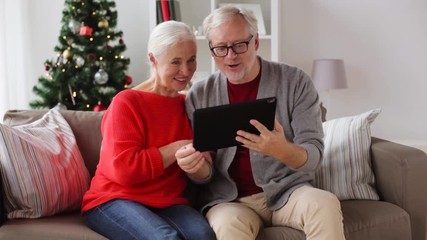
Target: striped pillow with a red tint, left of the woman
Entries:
(42, 168)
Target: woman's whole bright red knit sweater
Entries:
(134, 126)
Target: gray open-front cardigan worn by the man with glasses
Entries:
(297, 111)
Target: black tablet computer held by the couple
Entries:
(216, 127)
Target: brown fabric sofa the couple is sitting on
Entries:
(400, 180)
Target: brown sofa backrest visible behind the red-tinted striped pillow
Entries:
(86, 127)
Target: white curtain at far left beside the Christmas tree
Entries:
(15, 85)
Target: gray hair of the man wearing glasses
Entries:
(227, 12)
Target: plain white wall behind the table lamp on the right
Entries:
(383, 44)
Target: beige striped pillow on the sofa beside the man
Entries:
(346, 168)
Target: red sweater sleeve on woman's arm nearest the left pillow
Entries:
(125, 157)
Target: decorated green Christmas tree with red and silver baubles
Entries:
(89, 69)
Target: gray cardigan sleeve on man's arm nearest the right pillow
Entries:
(298, 108)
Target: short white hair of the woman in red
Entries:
(166, 34)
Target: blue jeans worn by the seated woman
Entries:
(125, 219)
